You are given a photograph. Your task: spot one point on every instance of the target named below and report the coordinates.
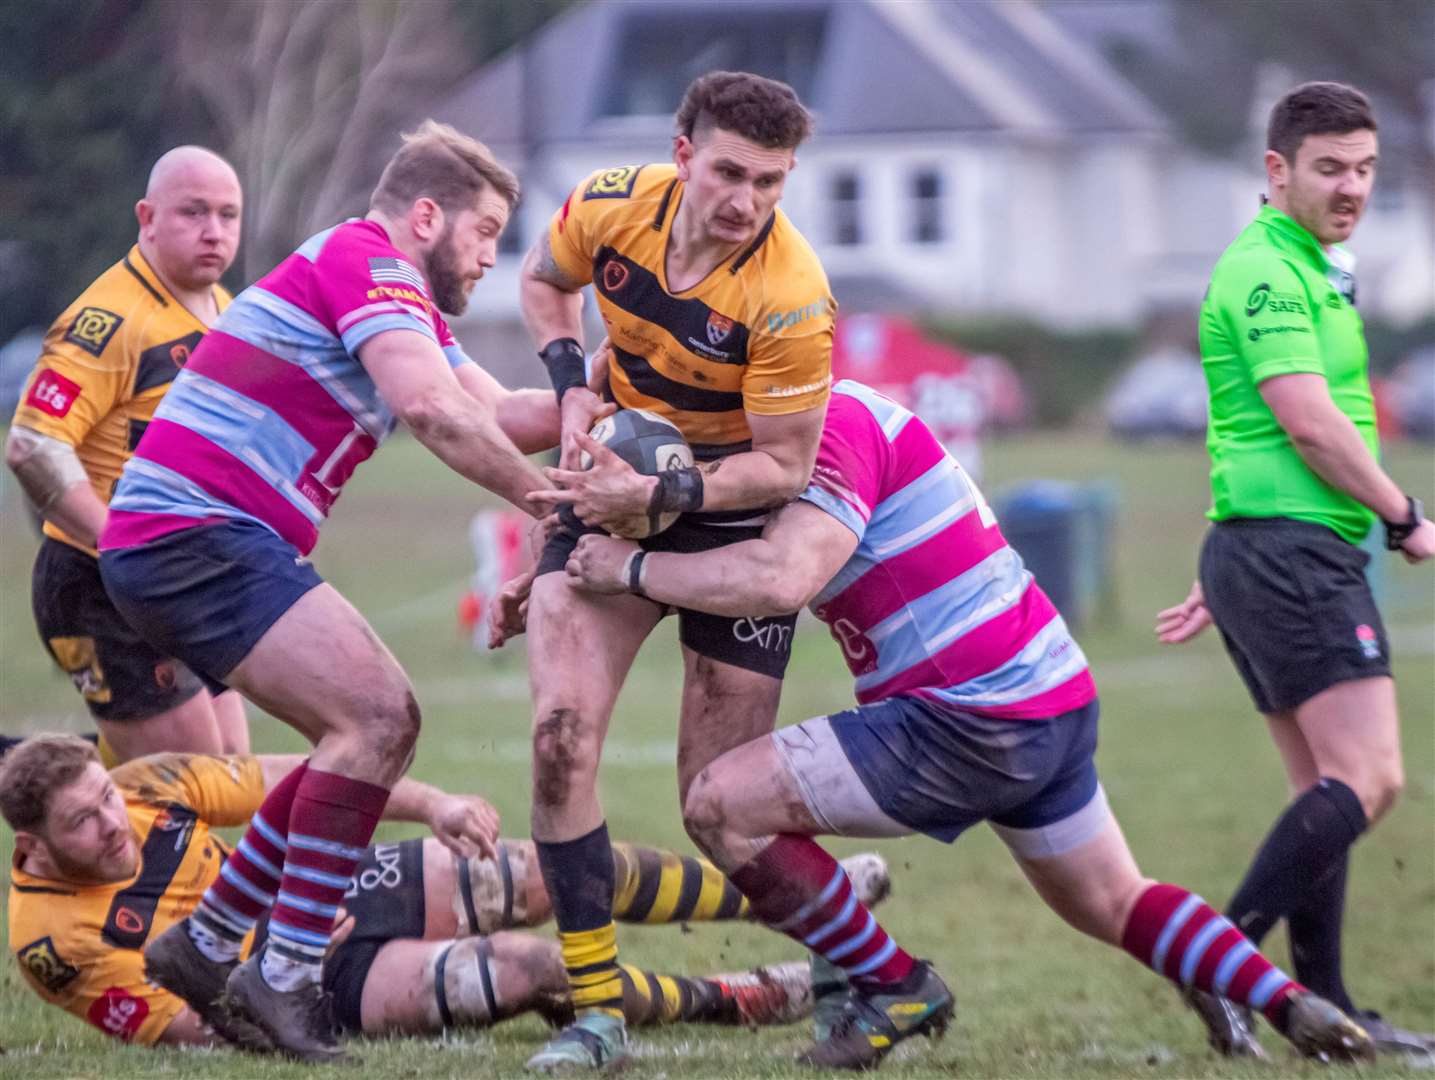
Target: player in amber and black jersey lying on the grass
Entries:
(107, 860)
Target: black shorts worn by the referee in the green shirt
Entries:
(1294, 607)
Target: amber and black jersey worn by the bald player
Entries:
(107, 362)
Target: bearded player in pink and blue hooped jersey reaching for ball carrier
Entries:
(206, 547)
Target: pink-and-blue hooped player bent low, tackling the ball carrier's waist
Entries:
(975, 705)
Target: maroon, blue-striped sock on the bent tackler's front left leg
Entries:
(800, 890)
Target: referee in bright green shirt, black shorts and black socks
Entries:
(1297, 485)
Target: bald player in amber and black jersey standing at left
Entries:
(107, 362)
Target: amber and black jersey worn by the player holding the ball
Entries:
(756, 336)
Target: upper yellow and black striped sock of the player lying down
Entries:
(654, 886)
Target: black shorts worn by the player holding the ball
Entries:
(751, 643)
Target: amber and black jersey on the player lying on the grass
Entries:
(81, 946)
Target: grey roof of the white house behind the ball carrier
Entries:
(865, 67)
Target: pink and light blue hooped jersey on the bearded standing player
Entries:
(275, 412)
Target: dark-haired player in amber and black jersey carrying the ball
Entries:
(721, 321)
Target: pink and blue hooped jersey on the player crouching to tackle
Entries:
(933, 603)
